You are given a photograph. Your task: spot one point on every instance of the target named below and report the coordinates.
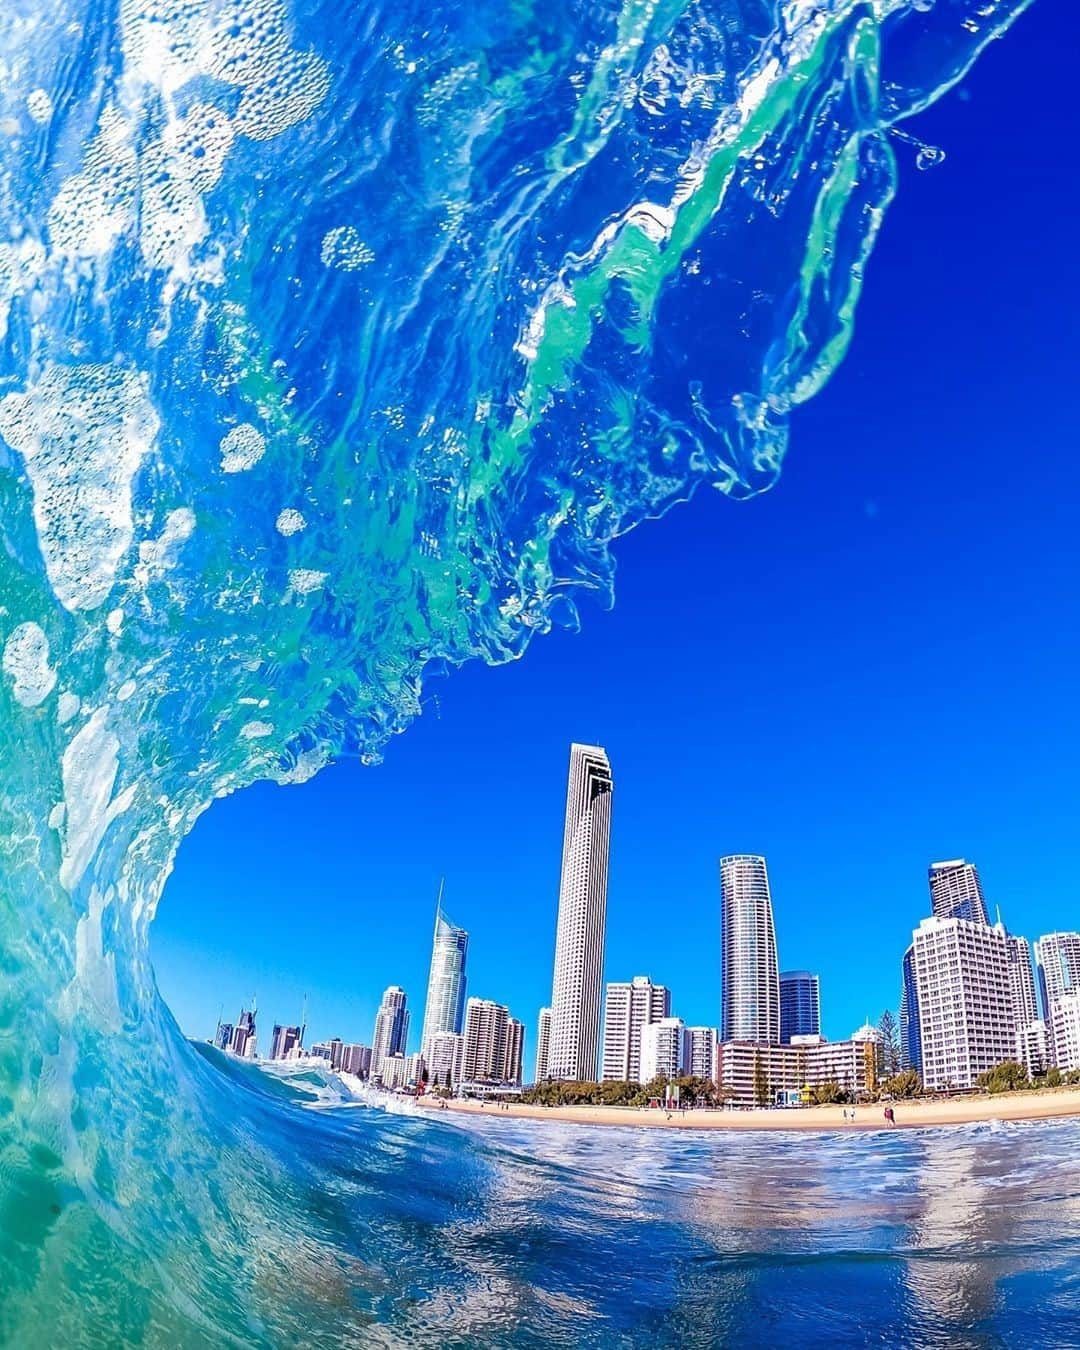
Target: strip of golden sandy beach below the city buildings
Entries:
(915, 1114)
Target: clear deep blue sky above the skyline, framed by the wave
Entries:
(871, 668)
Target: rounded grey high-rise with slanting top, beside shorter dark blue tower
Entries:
(751, 983)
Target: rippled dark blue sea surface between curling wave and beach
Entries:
(515, 1233)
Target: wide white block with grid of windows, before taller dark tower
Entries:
(965, 993)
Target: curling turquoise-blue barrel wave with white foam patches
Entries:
(338, 344)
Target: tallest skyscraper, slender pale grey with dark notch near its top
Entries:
(576, 993)
